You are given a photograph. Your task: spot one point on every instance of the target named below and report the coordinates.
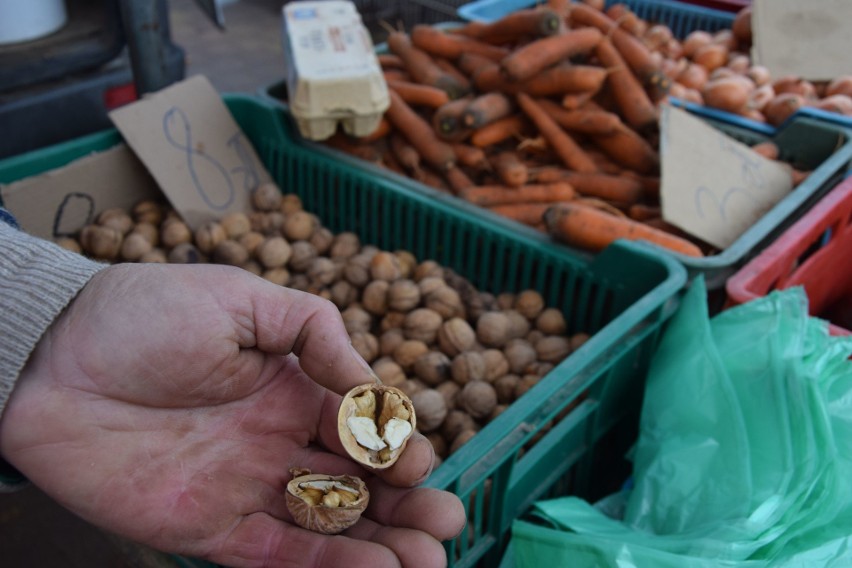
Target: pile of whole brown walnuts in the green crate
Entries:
(460, 354)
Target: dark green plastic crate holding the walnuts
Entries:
(622, 297)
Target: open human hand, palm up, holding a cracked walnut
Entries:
(168, 404)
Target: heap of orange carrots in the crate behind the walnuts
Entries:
(548, 116)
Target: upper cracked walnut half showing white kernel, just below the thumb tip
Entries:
(374, 423)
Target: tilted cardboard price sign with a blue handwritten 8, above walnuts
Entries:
(188, 140)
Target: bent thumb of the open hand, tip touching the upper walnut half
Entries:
(291, 321)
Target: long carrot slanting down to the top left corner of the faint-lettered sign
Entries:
(632, 100)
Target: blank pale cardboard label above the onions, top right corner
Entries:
(810, 39)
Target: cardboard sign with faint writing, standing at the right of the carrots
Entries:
(712, 186)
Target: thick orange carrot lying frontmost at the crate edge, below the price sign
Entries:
(591, 229)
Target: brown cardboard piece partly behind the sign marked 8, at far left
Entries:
(60, 202)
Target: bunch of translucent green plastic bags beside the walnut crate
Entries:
(743, 456)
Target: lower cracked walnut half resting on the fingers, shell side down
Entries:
(325, 504)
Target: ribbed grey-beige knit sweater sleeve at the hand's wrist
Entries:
(38, 279)
